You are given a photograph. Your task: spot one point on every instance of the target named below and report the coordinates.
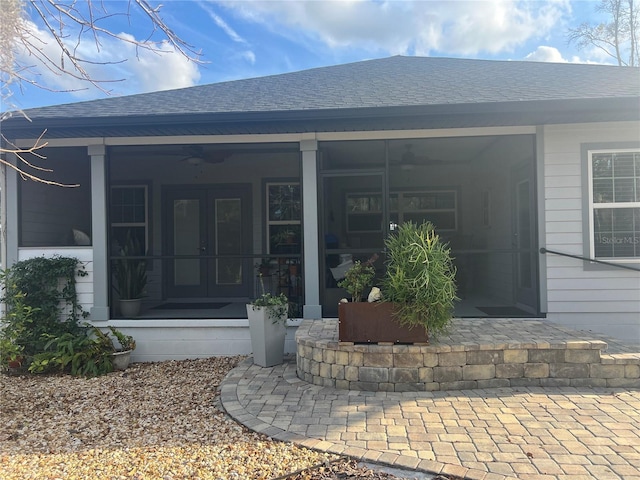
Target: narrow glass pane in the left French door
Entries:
(186, 241)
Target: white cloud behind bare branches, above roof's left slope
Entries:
(119, 66)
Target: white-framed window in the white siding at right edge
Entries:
(614, 199)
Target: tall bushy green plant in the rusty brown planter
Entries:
(420, 278)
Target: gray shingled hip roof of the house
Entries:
(394, 86)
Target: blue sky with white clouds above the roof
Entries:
(254, 38)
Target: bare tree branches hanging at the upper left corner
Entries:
(70, 23)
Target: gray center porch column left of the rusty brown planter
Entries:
(312, 307)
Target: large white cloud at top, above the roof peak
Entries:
(409, 27)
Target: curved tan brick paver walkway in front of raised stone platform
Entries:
(502, 433)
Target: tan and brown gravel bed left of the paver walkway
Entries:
(152, 421)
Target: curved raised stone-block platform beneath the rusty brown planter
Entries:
(520, 353)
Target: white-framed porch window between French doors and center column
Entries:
(283, 217)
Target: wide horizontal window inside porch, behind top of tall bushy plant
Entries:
(364, 210)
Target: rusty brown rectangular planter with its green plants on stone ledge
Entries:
(418, 290)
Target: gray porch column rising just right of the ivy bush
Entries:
(100, 309)
